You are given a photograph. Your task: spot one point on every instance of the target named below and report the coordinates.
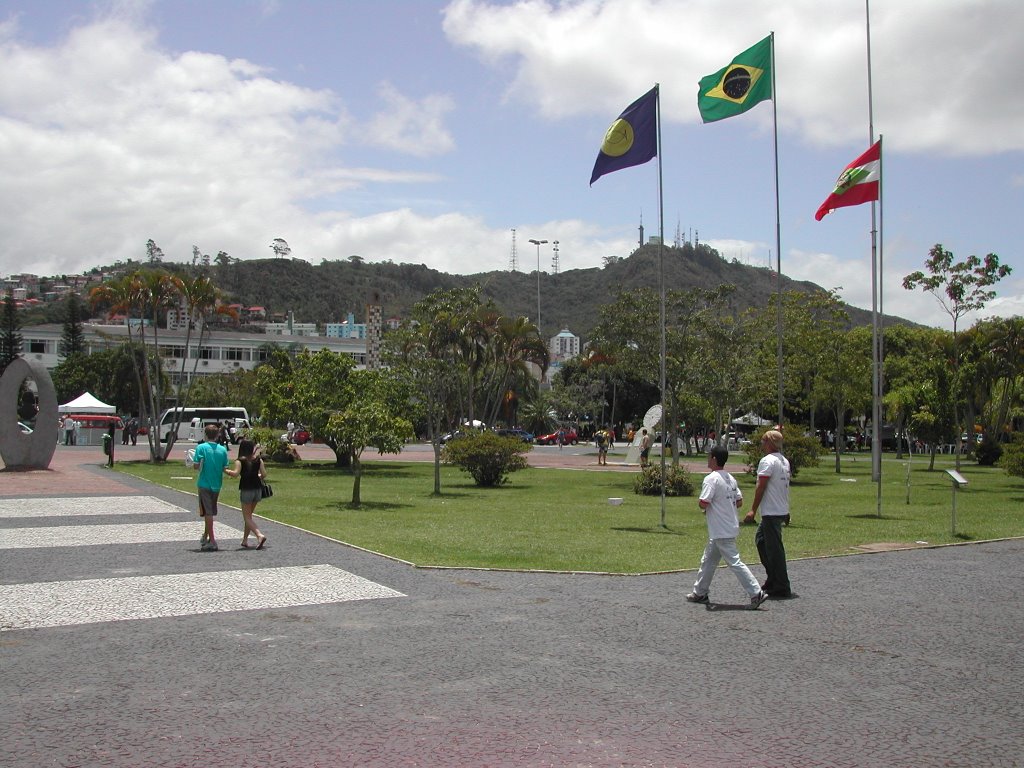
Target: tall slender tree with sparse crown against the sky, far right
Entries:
(960, 288)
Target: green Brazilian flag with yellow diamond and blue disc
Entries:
(735, 90)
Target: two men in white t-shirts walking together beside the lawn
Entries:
(721, 497)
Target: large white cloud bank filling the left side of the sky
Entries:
(106, 142)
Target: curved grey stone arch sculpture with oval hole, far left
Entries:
(22, 451)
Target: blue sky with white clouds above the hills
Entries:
(426, 133)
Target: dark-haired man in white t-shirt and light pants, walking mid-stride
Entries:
(720, 498)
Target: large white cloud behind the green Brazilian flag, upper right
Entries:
(942, 71)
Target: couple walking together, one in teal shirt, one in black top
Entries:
(211, 461)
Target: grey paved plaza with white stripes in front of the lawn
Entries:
(123, 645)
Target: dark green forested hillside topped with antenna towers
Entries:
(329, 291)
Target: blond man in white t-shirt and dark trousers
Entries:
(773, 498)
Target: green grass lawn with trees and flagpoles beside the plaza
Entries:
(558, 520)
